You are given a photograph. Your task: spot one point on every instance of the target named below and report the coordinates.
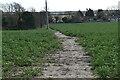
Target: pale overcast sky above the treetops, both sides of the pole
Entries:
(65, 5)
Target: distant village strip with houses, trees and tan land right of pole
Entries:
(84, 16)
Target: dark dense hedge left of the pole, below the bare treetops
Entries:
(14, 20)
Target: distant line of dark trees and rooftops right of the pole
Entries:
(90, 16)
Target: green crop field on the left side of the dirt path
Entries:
(23, 50)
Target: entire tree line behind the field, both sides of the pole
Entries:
(16, 17)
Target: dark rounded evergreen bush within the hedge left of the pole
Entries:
(26, 21)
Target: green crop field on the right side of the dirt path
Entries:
(100, 41)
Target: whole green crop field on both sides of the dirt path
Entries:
(23, 51)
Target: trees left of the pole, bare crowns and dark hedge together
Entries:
(16, 17)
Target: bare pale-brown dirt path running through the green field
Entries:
(72, 61)
